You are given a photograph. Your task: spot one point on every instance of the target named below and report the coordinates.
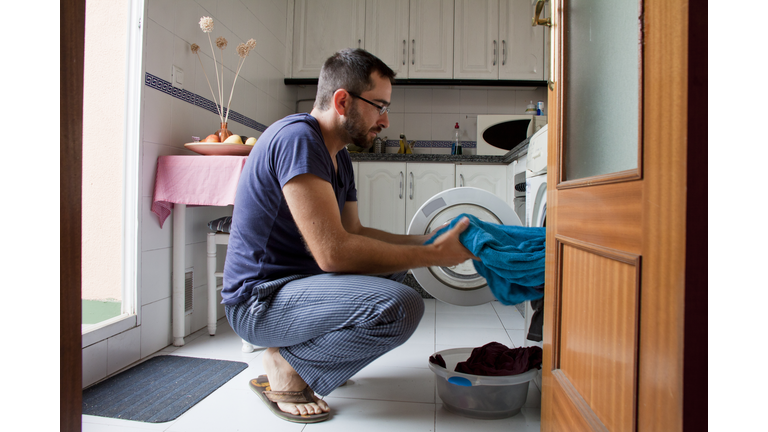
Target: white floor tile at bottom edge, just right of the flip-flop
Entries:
(355, 415)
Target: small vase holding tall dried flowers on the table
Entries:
(243, 49)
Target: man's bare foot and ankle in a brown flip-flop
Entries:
(282, 377)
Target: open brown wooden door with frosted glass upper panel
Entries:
(618, 267)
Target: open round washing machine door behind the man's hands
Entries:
(458, 285)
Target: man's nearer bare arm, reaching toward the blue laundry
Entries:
(314, 208)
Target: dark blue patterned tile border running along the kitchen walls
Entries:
(208, 105)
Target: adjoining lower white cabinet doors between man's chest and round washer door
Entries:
(390, 193)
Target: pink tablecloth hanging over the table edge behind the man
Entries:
(195, 180)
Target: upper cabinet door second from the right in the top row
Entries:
(477, 47)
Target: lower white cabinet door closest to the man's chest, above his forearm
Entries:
(381, 196)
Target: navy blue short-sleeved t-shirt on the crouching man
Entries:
(265, 244)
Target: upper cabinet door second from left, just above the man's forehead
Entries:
(386, 33)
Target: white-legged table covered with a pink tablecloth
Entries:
(196, 181)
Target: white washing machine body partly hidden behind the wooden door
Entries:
(535, 200)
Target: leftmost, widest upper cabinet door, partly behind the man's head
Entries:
(322, 27)
